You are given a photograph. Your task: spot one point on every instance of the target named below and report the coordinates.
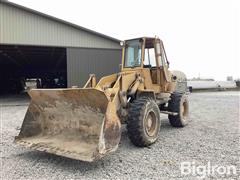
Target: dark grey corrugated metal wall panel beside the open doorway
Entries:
(82, 61)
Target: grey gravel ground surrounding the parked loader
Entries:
(212, 136)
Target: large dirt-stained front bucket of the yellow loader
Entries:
(77, 123)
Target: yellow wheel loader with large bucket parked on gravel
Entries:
(85, 123)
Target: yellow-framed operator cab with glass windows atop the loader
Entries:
(149, 54)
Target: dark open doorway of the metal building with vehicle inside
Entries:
(23, 67)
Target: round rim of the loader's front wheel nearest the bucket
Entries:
(151, 124)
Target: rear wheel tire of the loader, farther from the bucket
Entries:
(177, 102)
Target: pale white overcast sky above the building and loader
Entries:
(201, 37)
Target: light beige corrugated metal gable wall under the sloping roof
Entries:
(21, 27)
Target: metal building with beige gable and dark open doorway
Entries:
(36, 45)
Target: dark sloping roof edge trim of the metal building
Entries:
(59, 20)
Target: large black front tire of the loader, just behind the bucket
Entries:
(138, 115)
